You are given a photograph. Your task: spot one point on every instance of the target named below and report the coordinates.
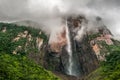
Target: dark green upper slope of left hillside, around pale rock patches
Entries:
(12, 31)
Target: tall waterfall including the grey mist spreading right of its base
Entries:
(72, 66)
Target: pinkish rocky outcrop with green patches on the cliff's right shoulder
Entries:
(104, 36)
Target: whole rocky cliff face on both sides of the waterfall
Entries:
(87, 48)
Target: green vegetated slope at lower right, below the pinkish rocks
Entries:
(110, 68)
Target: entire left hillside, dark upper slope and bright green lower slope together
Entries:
(16, 43)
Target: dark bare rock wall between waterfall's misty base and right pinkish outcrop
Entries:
(86, 56)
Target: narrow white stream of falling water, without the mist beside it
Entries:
(69, 50)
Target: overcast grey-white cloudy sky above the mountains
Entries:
(50, 12)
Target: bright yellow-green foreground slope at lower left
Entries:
(16, 67)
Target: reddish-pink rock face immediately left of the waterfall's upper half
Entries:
(61, 41)
